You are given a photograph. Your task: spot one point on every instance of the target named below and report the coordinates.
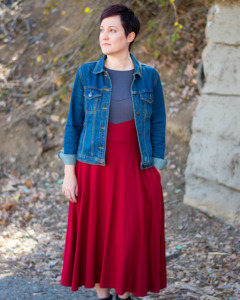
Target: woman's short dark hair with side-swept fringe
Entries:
(129, 20)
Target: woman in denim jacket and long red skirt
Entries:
(113, 147)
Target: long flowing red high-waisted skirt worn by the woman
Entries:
(115, 232)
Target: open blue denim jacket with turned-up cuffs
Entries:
(87, 122)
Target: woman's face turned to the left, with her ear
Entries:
(112, 38)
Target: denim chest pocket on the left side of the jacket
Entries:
(92, 99)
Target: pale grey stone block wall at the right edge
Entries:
(213, 166)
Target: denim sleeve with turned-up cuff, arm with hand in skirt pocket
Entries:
(158, 125)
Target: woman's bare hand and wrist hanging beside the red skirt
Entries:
(70, 185)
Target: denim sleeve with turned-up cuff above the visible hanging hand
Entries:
(74, 123)
